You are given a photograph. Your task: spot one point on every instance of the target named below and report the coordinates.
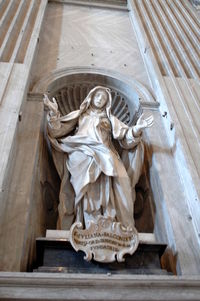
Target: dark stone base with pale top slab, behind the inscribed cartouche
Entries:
(55, 254)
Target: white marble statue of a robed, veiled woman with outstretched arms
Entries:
(95, 179)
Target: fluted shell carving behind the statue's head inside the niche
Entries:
(69, 99)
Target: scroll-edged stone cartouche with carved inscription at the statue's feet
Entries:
(104, 240)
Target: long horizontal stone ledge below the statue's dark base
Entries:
(49, 286)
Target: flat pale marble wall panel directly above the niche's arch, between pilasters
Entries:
(83, 36)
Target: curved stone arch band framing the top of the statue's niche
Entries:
(135, 92)
